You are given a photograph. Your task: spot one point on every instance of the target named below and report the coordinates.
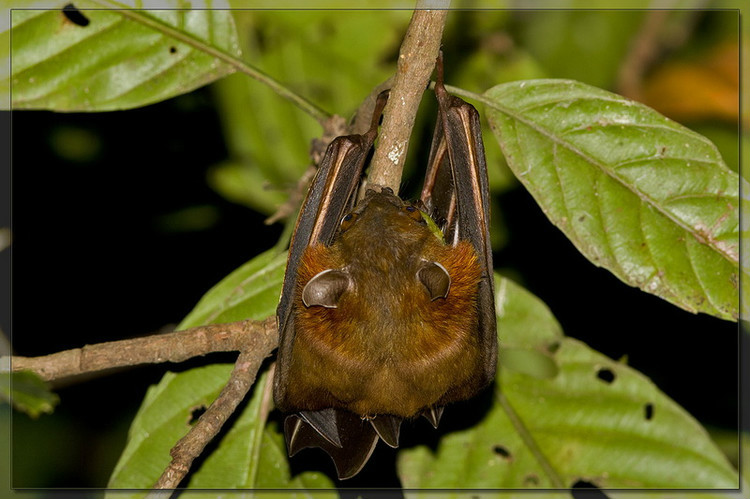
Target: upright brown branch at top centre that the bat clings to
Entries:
(416, 61)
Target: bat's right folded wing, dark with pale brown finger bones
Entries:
(456, 194)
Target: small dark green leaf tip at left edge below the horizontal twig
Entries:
(28, 393)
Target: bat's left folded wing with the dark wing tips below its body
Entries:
(347, 438)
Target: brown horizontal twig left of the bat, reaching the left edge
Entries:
(171, 347)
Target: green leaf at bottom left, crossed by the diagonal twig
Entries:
(251, 455)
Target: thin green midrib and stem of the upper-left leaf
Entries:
(238, 64)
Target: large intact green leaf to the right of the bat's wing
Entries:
(637, 193)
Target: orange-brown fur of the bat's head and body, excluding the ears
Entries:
(386, 348)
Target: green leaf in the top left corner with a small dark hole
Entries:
(116, 61)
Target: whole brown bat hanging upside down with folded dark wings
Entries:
(384, 315)
